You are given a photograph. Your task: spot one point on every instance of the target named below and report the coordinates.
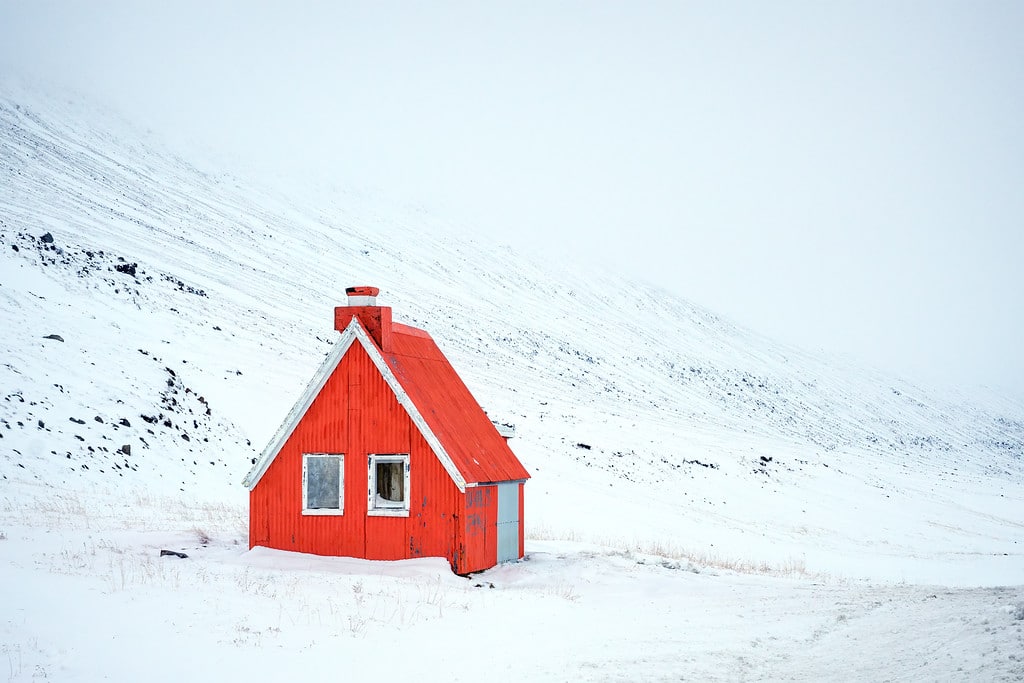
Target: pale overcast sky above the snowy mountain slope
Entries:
(844, 176)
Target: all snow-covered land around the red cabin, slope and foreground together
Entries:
(706, 503)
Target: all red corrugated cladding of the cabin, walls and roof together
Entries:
(357, 414)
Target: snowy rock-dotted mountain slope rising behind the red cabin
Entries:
(195, 307)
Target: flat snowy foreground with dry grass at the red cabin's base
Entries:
(93, 605)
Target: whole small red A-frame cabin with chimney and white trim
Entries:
(388, 456)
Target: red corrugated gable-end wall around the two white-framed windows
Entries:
(357, 414)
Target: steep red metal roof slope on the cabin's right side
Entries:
(472, 441)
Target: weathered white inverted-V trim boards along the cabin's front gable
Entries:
(354, 333)
